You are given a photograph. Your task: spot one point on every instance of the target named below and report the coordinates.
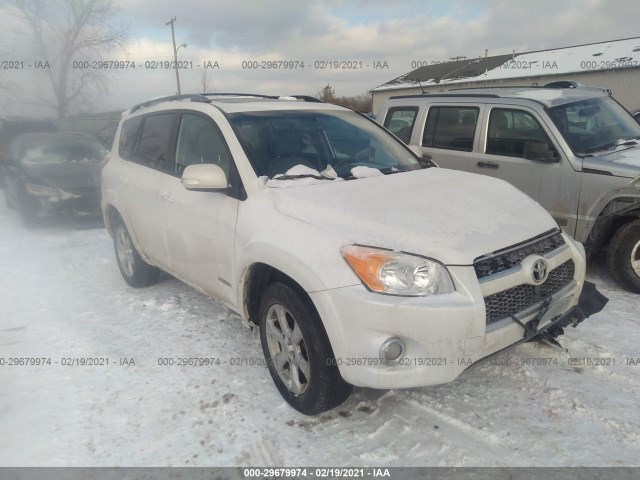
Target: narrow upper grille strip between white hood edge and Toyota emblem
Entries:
(512, 256)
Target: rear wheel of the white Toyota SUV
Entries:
(135, 271)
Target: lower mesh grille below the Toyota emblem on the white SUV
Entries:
(509, 302)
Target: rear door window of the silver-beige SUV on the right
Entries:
(451, 128)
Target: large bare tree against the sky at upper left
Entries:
(68, 31)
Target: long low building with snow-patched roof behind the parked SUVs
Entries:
(614, 65)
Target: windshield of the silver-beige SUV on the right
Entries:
(594, 125)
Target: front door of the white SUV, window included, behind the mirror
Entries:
(200, 225)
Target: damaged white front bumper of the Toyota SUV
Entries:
(443, 335)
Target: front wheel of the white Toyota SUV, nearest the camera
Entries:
(299, 355)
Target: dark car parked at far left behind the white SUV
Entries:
(49, 173)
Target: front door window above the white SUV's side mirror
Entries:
(200, 141)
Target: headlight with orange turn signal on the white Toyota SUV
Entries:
(396, 273)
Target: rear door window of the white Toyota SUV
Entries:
(155, 145)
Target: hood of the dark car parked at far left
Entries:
(68, 176)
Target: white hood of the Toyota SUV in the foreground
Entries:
(451, 216)
